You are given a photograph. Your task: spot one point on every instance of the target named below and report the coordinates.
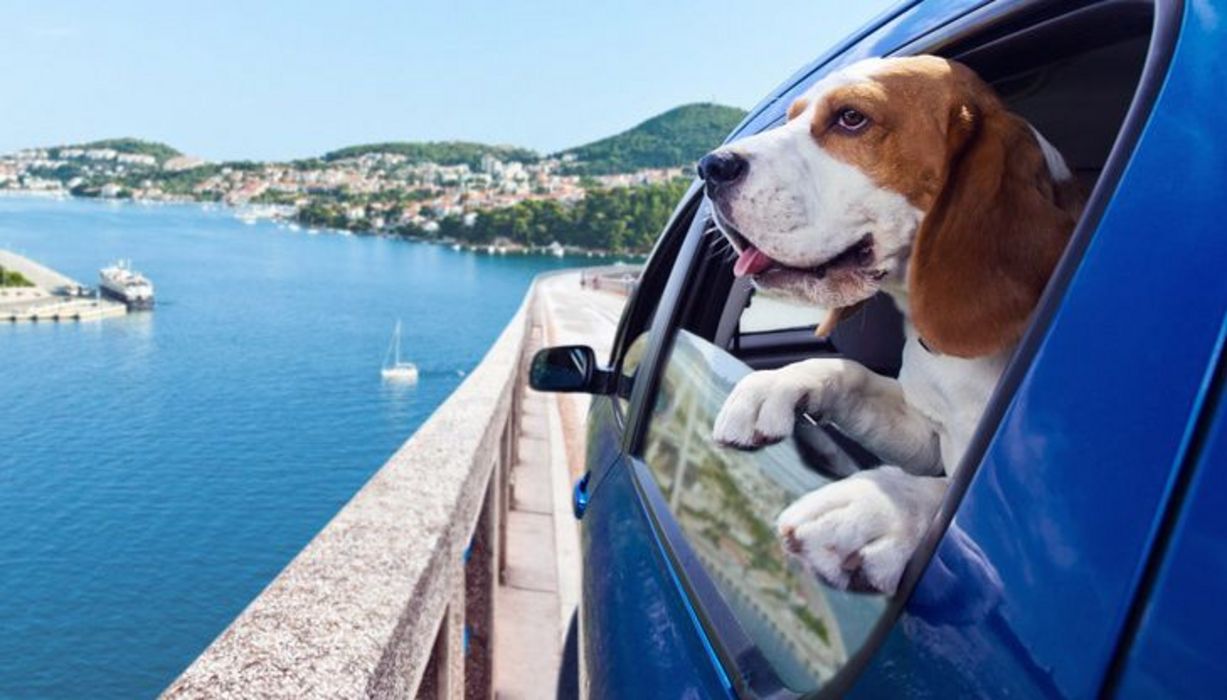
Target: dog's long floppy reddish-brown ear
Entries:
(988, 246)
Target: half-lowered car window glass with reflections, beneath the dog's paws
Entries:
(727, 502)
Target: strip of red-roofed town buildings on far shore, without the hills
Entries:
(375, 192)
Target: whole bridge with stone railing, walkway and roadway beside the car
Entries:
(455, 572)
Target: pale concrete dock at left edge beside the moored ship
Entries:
(55, 297)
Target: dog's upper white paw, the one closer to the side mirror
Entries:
(763, 408)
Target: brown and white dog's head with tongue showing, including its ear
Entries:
(907, 173)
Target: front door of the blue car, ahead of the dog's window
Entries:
(637, 636)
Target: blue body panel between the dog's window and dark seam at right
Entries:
(1077, 476)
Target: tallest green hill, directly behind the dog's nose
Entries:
(674, 139)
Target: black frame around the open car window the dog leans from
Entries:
(990, 24)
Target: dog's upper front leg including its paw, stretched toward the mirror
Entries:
(869, 408)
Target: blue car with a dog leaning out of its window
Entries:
(1082, 550)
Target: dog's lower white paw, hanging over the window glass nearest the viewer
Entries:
(861, 532)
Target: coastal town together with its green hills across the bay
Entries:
(610, 196)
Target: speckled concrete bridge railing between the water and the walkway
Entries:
(394, 597)
